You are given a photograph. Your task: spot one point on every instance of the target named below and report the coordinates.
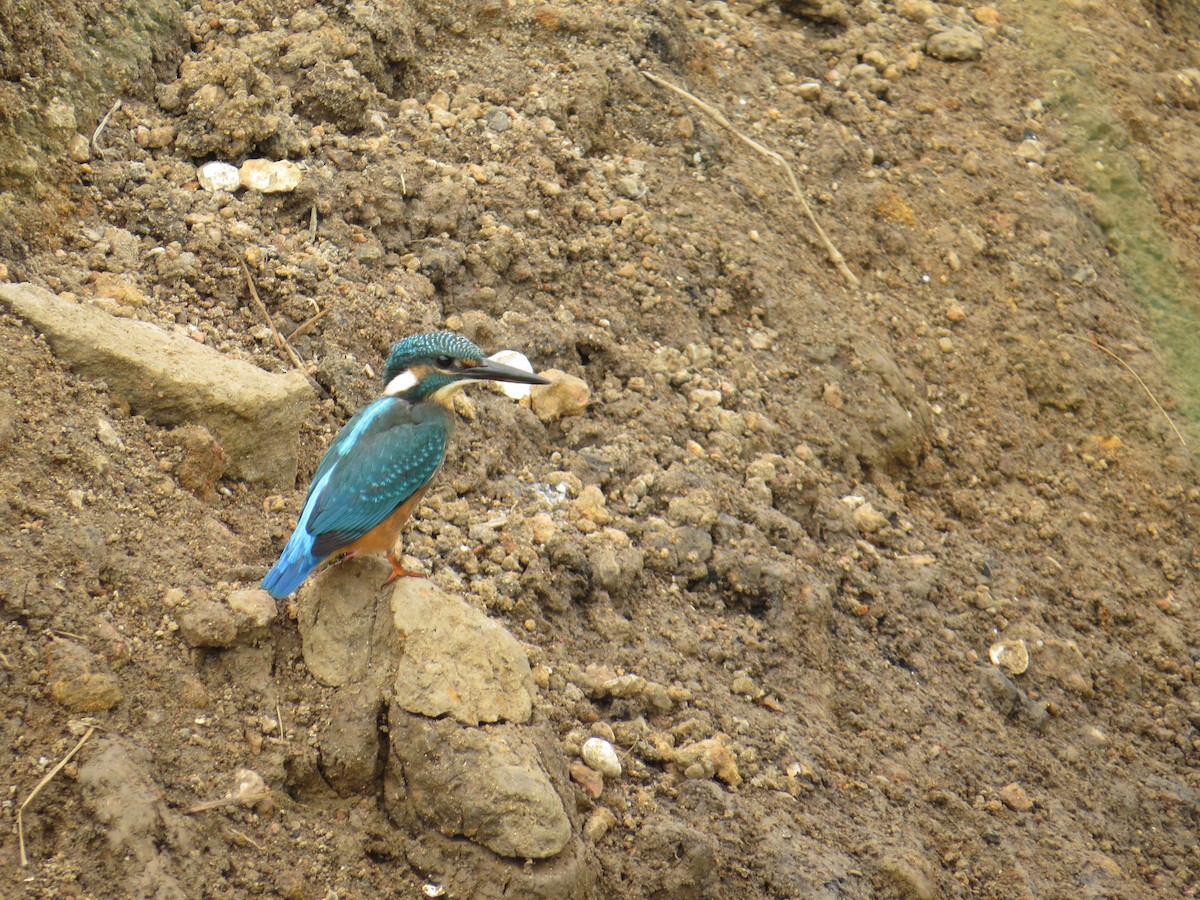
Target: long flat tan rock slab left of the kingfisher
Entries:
(172, 380)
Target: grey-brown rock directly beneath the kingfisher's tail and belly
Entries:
(344, 622)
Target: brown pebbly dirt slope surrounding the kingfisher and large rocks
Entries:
(916, 555)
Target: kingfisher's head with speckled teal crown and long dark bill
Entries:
(434, 365)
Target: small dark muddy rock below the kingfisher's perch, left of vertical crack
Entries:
(350, 746)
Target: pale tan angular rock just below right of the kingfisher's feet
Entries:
(457, 662)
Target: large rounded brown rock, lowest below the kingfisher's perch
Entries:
(487, 785)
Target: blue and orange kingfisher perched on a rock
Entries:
(381, 464)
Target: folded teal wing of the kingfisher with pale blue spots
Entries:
(385, 455)
